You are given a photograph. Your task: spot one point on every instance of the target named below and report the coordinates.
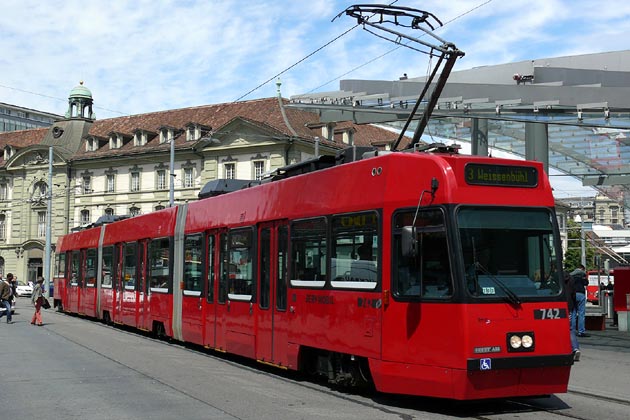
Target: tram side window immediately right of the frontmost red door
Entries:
(308, 253)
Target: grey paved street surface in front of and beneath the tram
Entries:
(79, 369)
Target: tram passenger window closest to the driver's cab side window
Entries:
(355, 250)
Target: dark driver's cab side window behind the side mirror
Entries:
(429, 273)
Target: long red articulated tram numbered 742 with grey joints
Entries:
(418, 272)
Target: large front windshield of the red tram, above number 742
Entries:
(509, 253)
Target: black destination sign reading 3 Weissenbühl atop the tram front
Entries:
(501, 175)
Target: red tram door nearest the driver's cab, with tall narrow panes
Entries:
(271, 339)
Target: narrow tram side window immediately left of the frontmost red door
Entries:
(241, 284)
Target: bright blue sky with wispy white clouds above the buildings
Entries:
(150, 55)
